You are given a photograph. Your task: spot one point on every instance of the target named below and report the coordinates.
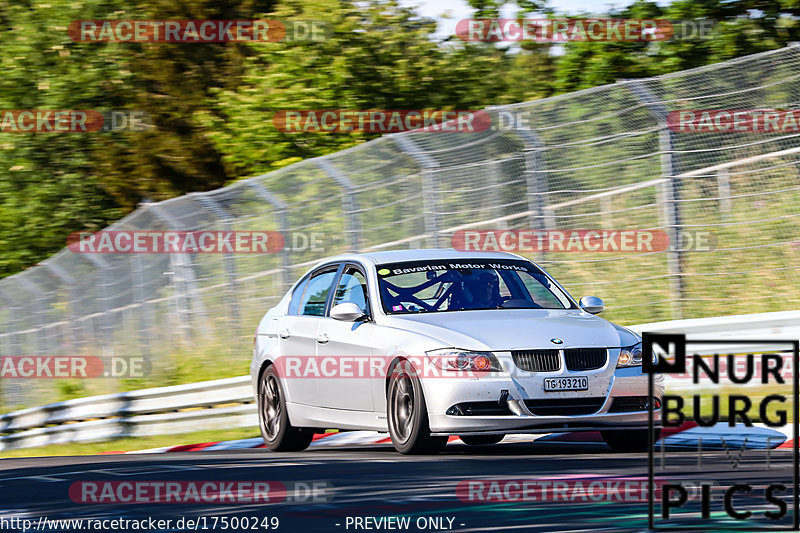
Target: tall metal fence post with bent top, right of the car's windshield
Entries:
(670, 192)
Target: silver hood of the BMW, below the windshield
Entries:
(515, 329)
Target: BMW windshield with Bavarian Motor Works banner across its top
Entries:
(442, 285)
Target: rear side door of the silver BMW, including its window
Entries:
(298, 334)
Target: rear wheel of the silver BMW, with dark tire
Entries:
(278, 434)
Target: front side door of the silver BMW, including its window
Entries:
(343, 348)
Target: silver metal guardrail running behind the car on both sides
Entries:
(227, 403)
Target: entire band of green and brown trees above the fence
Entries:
(212, 104)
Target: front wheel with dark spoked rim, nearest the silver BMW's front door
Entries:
(407, 414)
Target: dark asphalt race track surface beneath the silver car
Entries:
(376, 482)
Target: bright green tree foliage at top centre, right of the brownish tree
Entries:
(380, 56)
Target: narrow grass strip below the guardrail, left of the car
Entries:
(132, 444)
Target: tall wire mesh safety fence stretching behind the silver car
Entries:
(607, 158)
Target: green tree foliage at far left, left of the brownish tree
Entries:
(48, 186)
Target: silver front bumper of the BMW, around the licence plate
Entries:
(516, 397)
